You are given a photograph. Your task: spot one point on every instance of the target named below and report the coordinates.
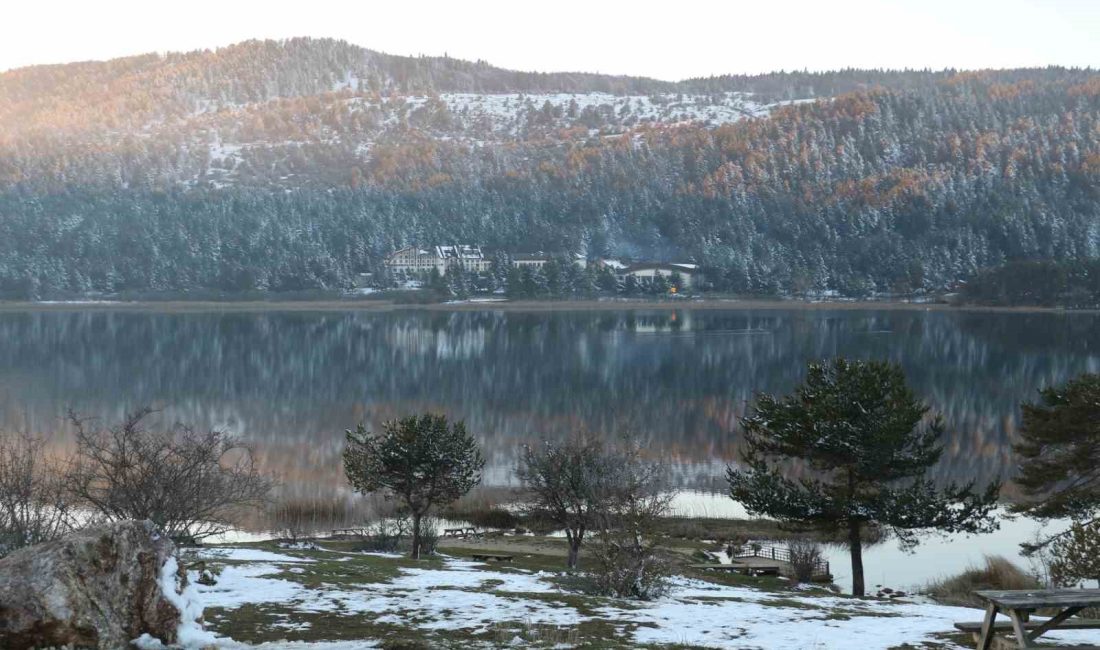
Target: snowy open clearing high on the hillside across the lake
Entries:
(355, 125)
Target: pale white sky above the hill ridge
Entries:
(669, 40)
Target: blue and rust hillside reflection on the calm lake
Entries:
(293, 382)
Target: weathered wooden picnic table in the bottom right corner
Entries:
(1019, 605)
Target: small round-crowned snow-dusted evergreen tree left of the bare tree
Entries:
(423, 461)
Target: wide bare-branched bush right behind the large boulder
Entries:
(191, 484)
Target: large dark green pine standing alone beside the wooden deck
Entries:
(855, 428)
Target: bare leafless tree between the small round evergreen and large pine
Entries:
(567, 482)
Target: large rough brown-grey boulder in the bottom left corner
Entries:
(98, 588)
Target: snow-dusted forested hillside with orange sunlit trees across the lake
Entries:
(295, 166)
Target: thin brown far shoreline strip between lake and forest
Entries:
(520, 306)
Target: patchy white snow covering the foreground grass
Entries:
(467, 596)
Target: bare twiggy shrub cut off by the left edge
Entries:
(34, 504)
